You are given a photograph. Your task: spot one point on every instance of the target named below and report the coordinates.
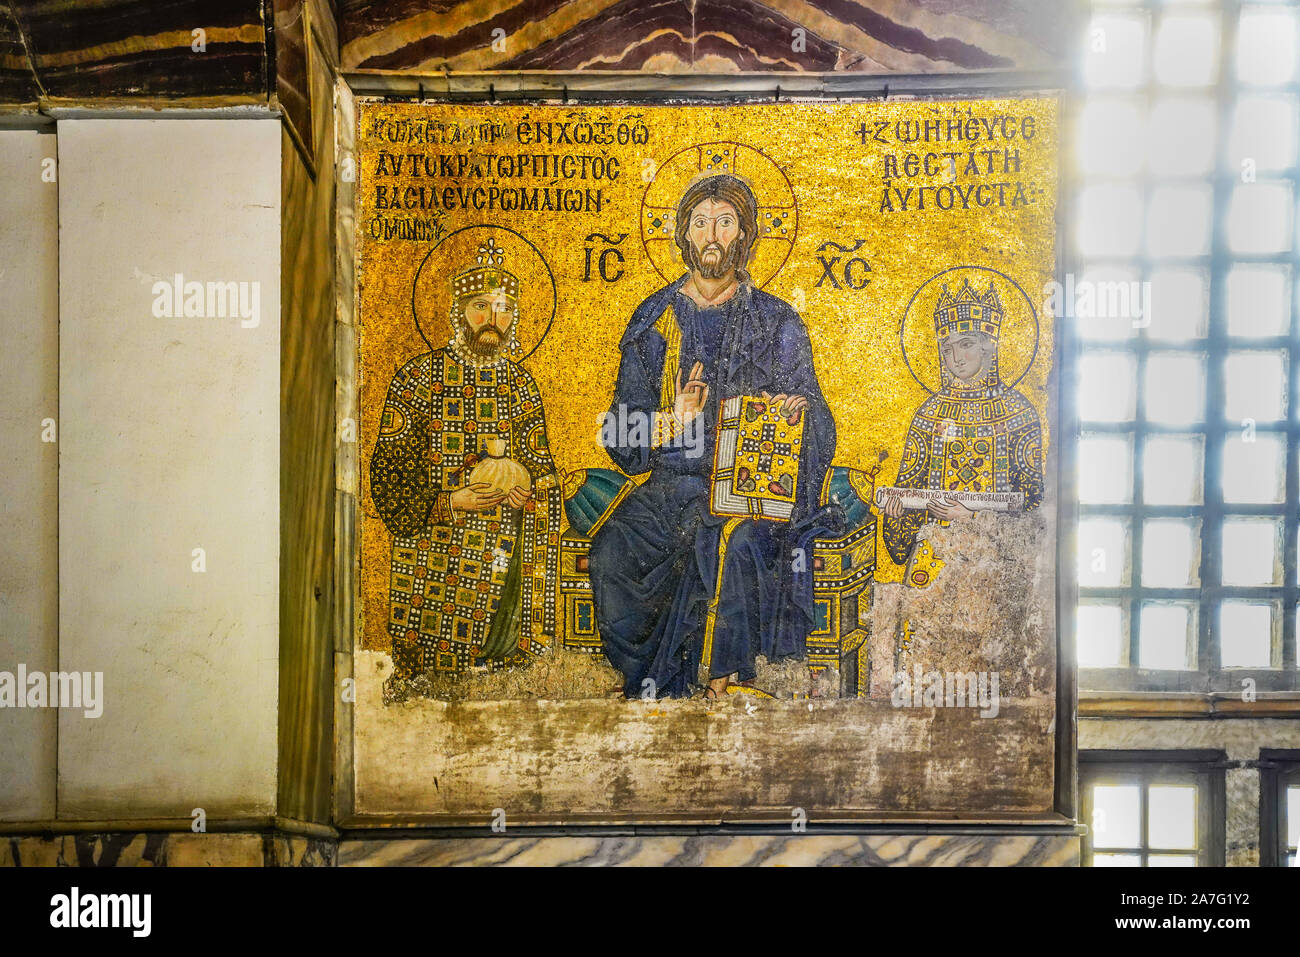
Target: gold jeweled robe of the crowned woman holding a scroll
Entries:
(985, 438)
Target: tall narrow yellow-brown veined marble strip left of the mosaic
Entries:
(309, 431)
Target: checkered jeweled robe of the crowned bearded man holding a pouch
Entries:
(467, 588)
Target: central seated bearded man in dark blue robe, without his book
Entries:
(687, 599)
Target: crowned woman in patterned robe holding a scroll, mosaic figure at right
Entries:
(974, 435)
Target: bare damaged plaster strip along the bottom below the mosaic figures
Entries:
(742, 759)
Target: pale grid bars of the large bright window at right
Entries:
(1223, 179)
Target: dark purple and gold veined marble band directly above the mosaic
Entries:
(705, 36)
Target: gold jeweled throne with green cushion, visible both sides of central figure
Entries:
(843, 570)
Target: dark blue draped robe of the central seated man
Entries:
(655, 562)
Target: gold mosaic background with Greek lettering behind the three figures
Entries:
(818, 170)
